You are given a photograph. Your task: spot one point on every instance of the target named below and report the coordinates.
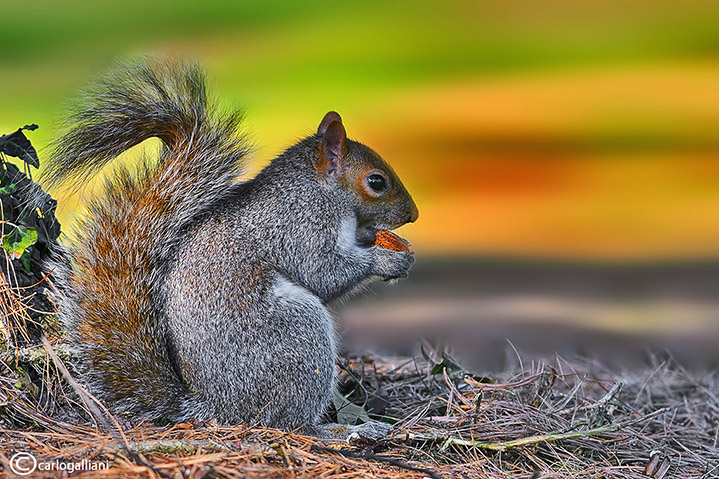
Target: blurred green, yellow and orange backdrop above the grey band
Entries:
(578, 130)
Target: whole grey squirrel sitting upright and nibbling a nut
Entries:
(195, 295)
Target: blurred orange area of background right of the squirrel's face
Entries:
(611, 163)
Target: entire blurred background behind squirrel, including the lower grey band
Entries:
(563, 154)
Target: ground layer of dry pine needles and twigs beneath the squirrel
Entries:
(558, 418)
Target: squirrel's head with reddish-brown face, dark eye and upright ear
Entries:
(381, 202)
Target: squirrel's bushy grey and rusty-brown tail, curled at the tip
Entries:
(109, 296)
